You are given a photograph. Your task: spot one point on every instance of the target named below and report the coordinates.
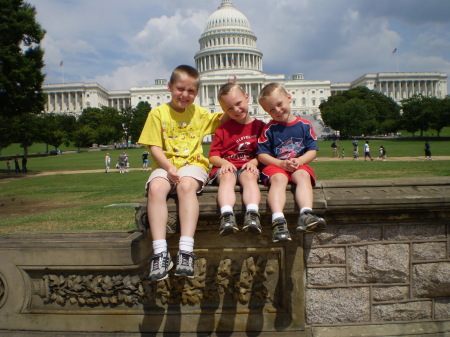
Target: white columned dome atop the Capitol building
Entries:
(228, 43)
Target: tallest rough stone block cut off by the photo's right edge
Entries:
(431, 279)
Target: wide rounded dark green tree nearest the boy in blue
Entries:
(361, 111)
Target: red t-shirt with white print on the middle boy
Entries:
(236, 142)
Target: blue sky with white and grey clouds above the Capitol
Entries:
(121, 44)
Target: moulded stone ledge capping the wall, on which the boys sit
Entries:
(338, 201)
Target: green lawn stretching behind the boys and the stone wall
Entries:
(79, 201)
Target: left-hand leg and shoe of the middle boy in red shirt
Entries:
(226, 198)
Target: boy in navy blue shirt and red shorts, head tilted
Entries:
(287, 144)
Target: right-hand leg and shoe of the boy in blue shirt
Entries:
(307, 221)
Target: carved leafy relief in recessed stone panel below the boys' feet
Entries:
(252, 279)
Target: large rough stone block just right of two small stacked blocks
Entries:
(378, 263)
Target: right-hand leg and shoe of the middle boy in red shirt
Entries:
(251, 196)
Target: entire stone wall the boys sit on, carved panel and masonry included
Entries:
(381, 268)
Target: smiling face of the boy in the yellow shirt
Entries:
(183, 90)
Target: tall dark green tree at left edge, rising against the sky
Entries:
(21, 59)
